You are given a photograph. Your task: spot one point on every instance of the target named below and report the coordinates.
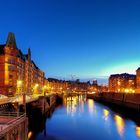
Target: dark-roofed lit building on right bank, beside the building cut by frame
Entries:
(122, 83)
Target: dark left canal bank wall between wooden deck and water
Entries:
(38, 112)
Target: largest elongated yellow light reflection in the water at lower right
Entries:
(120, 124)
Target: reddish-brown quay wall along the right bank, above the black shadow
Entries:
(122, 99)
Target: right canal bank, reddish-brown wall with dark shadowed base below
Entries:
(118, 103)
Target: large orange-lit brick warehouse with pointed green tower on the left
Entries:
(18, 73)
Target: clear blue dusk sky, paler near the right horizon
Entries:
(86, 38)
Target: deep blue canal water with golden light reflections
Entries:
(84, 119)
